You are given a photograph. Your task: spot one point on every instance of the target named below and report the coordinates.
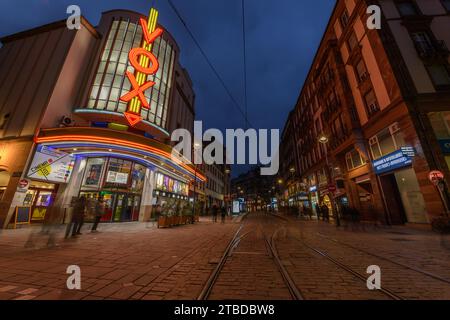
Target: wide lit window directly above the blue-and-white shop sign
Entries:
(386, 141)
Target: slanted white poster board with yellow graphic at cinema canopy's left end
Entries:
(51, 165)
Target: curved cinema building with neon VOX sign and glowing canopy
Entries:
(65, 130)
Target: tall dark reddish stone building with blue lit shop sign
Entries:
(370, 121)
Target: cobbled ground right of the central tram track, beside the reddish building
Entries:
(414, 263)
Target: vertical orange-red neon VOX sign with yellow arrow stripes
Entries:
(145, 64)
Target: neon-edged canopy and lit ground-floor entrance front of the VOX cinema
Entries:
(130, 172)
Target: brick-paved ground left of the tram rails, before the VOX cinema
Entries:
(122, 261)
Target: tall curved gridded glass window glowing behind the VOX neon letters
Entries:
(110, 82)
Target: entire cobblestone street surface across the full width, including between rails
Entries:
(139, 261)
